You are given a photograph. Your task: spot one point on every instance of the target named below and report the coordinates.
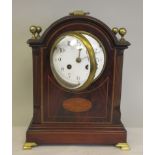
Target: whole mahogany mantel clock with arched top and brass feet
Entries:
(77, 78)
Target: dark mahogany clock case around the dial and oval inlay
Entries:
(101, 124)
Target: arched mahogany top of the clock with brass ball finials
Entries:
(80, 23)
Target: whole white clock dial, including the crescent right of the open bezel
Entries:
(70, 60)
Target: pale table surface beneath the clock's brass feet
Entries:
(135, 141)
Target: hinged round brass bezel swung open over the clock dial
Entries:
(93, 64)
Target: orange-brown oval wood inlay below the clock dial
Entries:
(77, 104)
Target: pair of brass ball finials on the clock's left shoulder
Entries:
(35, 30)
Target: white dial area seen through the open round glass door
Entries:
(69, 58)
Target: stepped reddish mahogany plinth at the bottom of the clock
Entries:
(97, 134)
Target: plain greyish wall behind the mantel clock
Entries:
(126, 13)
